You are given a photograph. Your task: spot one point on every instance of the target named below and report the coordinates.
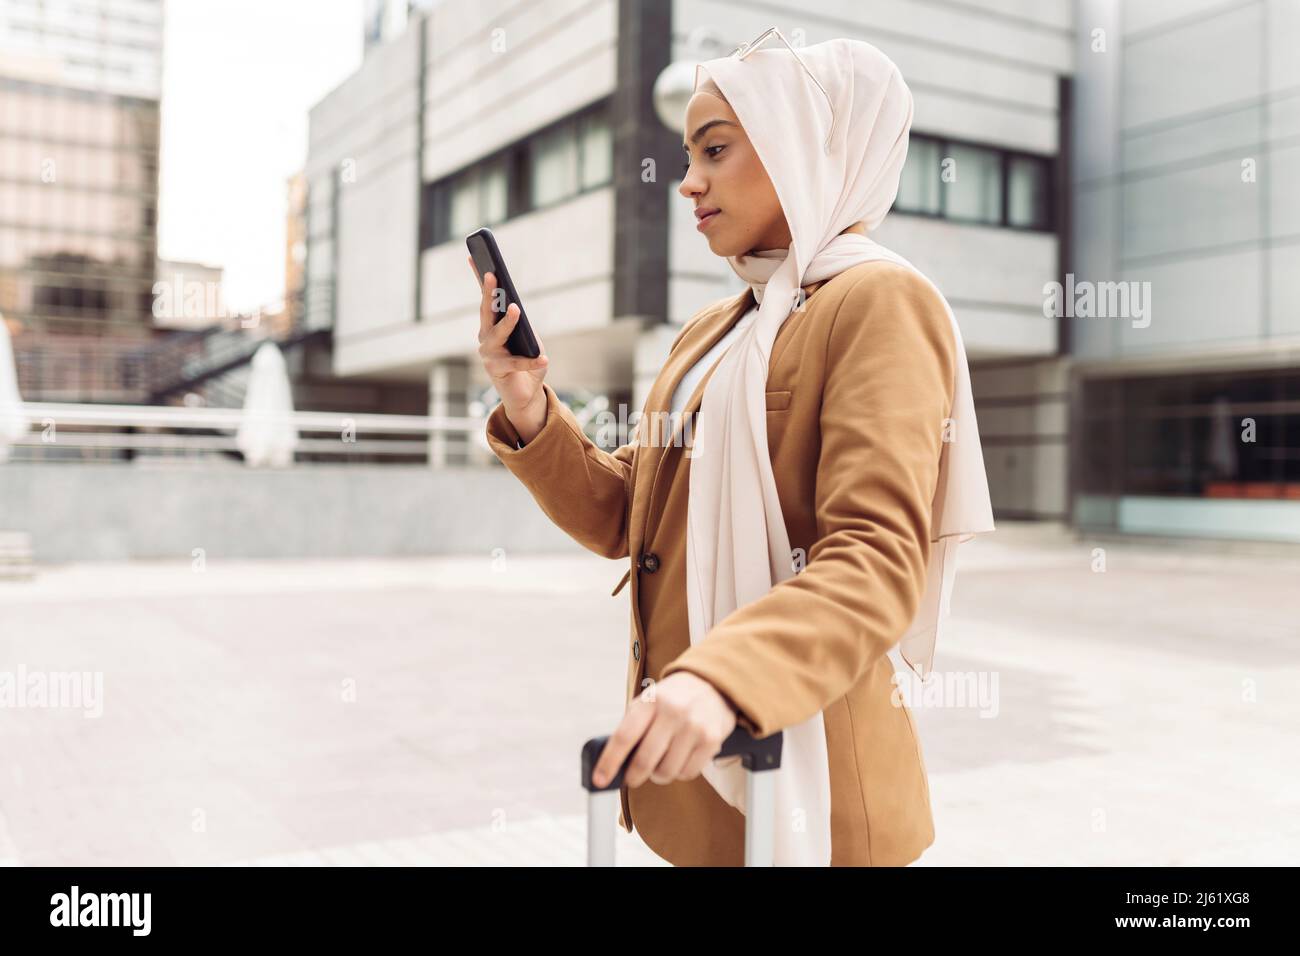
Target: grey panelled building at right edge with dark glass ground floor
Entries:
(1186, 386)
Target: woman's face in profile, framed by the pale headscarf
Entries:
(725, 174)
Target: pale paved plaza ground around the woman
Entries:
(393, 711)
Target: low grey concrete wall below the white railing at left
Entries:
(115, 512)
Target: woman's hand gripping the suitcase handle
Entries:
(681, 724)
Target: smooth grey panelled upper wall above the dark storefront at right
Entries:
(1182, 98)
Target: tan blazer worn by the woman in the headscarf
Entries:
(860, 383)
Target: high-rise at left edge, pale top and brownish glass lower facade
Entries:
(80, 89)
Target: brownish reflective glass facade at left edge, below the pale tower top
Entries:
(79, 209)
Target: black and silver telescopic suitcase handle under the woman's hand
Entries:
(759, 755)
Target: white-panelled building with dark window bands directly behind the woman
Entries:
(541, 124)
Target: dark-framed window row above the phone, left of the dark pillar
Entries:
(549, 167)
